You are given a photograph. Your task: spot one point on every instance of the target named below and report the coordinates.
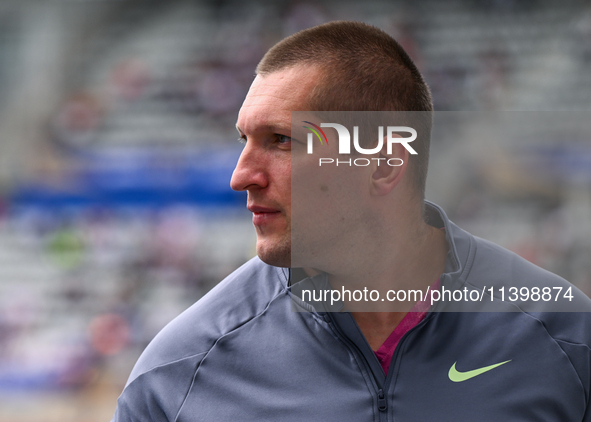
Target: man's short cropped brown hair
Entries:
(365, 70)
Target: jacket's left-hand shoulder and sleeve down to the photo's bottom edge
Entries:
(164, 373)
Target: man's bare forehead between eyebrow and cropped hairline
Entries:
(271, 98)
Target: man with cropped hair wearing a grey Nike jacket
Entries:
(242, 353)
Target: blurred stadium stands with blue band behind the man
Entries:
(117, 146)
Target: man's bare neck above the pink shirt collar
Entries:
(397, 254)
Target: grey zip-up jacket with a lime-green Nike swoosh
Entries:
(242, 354)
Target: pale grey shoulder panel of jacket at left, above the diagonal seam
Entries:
(238, 298)
